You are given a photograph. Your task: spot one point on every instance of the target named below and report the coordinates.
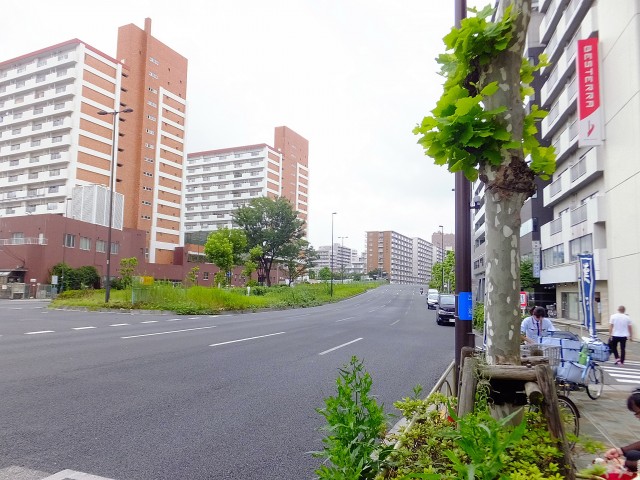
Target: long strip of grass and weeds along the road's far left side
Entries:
(206, 300)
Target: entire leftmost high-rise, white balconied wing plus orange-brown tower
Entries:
(52, 139)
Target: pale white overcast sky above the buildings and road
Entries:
(352, 76)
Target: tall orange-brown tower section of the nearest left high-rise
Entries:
(151, 174)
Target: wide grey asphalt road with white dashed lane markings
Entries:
(159, 396)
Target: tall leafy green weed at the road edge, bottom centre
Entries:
(355, 426)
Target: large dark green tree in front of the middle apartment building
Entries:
(273, 225)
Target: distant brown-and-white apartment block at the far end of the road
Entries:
(392, 253)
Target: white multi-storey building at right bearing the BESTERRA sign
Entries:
(595, 192)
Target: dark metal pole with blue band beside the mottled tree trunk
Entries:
(463, 329)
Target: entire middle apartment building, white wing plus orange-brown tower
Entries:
(220, 181)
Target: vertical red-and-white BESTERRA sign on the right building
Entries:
(590, 125)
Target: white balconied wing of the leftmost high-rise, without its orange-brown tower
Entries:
(51, 138)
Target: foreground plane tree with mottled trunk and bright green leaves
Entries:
(479, 127)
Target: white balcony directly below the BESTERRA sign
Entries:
(584, 171)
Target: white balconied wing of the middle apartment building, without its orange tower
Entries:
(220, 181)
